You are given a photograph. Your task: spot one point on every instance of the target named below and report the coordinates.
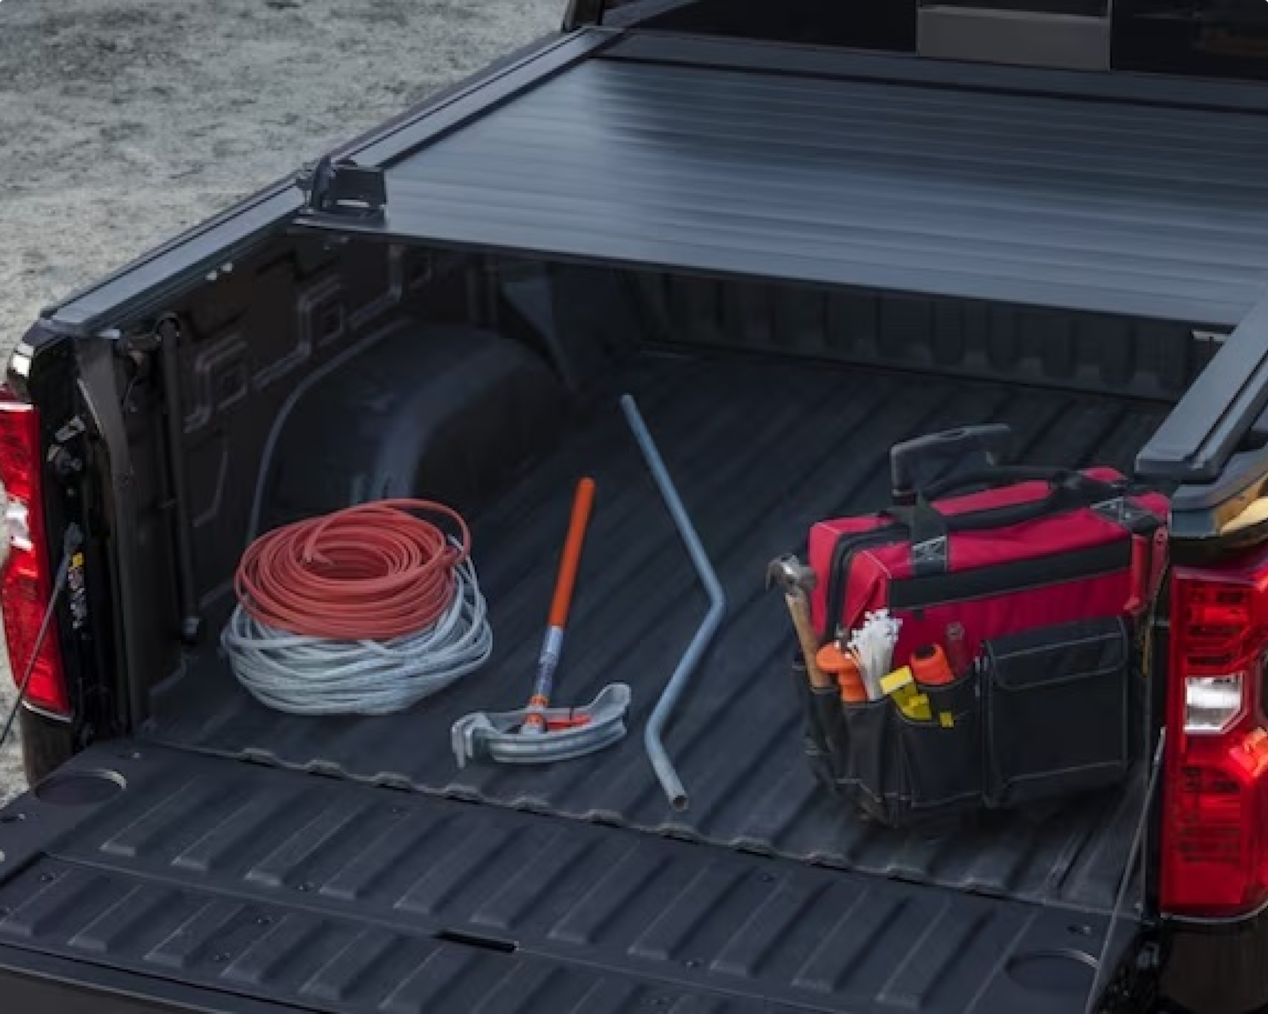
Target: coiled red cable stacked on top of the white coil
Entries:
(372, 572)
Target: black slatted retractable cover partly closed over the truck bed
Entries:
(638, 155)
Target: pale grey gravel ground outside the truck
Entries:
(127, 121)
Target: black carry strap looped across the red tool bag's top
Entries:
(930, 529)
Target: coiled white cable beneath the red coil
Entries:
(318, 676)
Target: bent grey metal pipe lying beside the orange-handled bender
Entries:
(656, 752)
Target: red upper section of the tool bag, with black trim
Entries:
(1040, 547)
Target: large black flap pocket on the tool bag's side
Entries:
(1056, 702)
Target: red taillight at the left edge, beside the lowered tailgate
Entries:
(29, 581)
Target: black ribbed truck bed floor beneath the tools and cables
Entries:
(760, 451)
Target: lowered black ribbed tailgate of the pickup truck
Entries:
(324, 897)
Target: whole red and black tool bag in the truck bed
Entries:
(1048, 572)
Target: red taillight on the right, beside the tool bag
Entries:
(1215, 795)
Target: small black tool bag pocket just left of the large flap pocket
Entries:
(943, 757)
